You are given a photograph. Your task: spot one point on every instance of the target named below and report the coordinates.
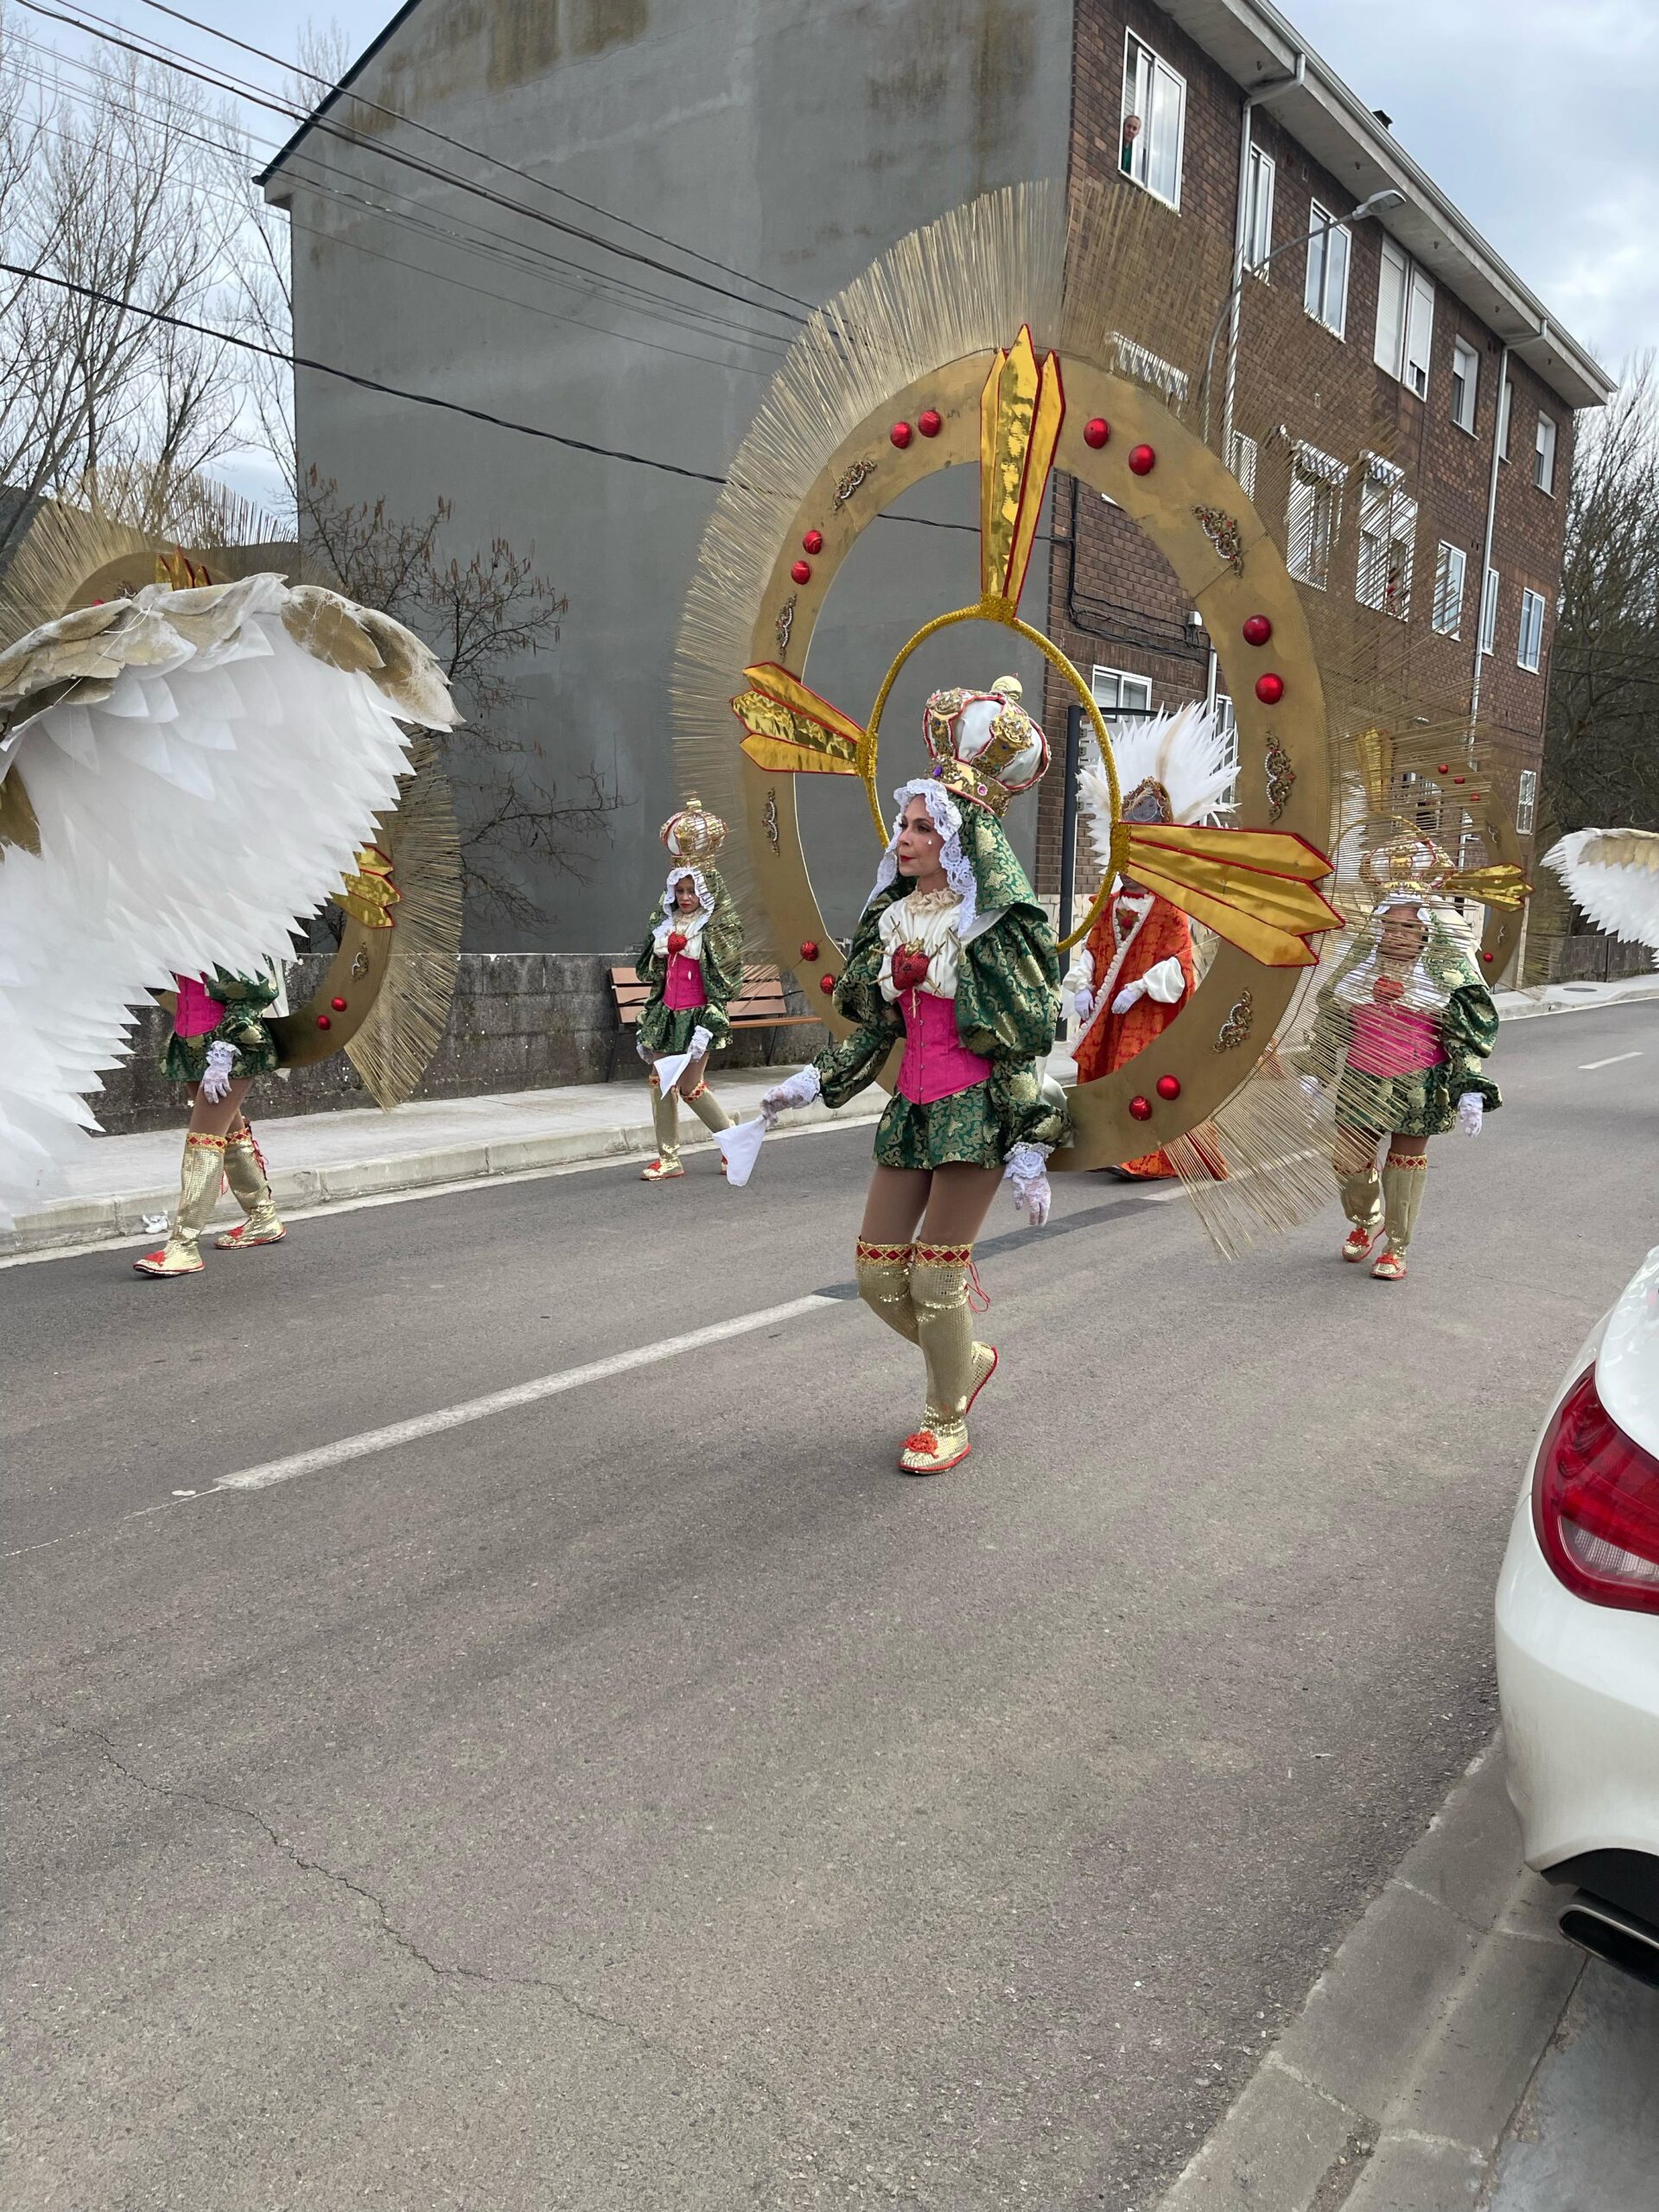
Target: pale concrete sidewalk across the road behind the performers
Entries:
(337, 1158)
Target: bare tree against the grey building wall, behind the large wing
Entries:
(483, 618)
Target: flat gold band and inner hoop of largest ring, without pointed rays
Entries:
(1231, 572)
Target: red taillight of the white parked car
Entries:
(1596, 1505)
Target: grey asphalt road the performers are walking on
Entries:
(649, 1799)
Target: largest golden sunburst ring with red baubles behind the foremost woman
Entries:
(1019, 408)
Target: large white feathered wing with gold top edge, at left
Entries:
(187, 778)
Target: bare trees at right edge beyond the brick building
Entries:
(1603, 740)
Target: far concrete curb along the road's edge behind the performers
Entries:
(70, 1224)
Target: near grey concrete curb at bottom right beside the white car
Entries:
(1397, 2083)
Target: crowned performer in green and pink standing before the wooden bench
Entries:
(693, 961)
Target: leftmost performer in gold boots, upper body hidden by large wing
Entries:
(220, 1043)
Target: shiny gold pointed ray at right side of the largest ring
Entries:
(1255, 888)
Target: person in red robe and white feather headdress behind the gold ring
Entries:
(1138, 966)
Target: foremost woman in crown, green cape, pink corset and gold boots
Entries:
(957, 959)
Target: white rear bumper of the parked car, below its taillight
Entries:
(1580, 1698)
